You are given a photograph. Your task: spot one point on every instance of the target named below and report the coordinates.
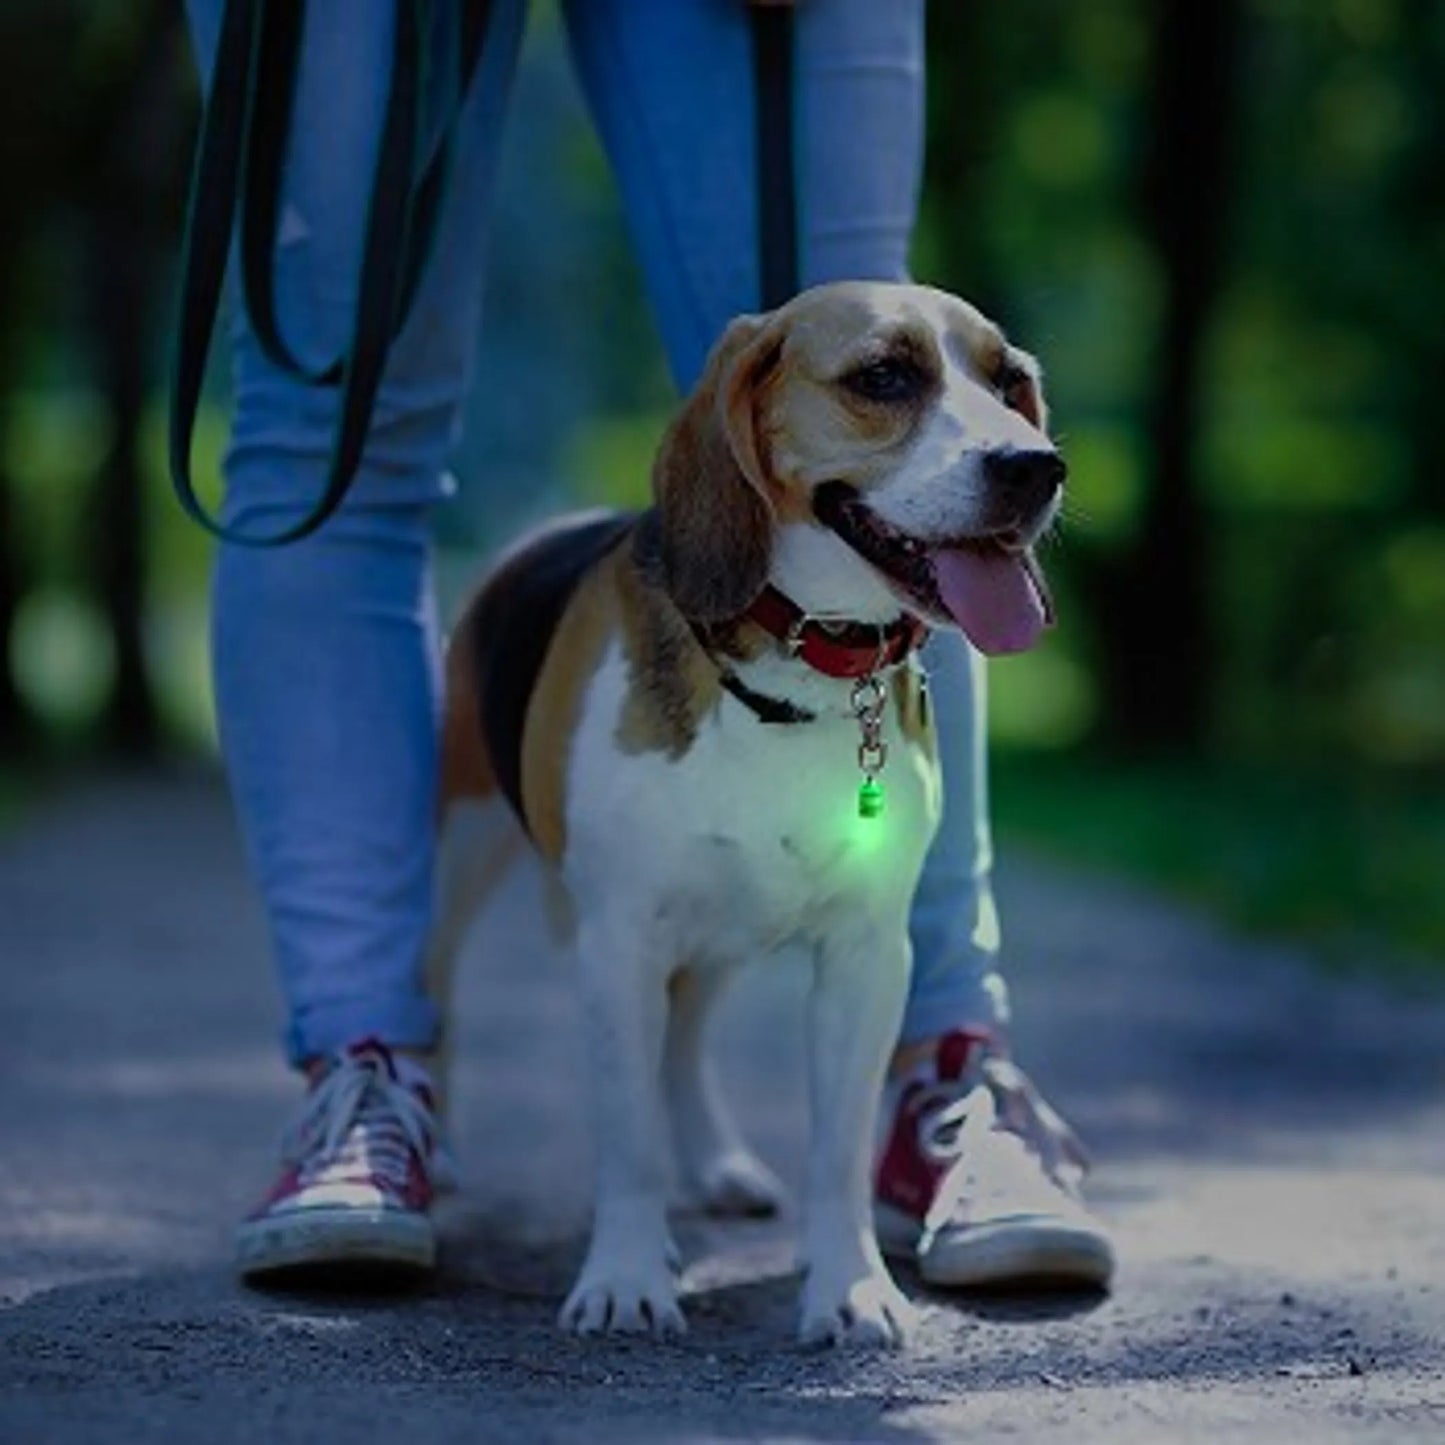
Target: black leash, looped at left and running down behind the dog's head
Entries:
(239, 165)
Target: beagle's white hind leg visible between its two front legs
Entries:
(717, 1168)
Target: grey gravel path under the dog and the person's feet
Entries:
(1272, 1149)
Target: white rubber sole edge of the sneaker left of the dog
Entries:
(304, 1239)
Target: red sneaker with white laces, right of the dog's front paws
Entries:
(979, 1183)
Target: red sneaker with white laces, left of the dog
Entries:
(358, 1181)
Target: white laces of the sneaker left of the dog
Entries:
(361, 1118)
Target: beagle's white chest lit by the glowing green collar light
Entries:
(751, 839)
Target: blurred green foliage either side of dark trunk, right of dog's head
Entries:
(1316, 440)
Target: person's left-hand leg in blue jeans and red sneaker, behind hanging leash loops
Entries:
(326, 651)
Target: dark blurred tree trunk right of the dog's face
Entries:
(1158, 638)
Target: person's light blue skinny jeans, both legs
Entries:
(326, 652)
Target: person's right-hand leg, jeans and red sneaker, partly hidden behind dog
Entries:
(671, 86)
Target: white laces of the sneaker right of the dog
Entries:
(995, 1134)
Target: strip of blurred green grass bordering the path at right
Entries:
(1352, 866)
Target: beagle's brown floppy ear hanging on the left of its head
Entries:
(715, 532)
